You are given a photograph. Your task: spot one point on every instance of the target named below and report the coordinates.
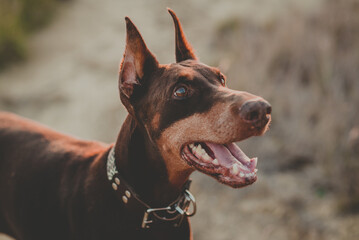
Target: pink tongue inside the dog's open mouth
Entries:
(228, 155)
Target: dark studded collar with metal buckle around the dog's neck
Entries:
(148, 217)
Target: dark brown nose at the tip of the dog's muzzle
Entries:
(255, 112)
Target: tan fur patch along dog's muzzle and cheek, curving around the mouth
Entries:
(218, 125)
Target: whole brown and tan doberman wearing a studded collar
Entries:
(182, 118)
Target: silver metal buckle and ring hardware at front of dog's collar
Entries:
(179, 209)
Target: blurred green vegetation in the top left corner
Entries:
(18, 18)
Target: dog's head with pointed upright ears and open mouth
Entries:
(189, 114)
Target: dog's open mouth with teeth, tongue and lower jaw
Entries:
(225, 162)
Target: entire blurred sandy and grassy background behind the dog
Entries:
(59, 62)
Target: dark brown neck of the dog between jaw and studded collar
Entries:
(141, 165)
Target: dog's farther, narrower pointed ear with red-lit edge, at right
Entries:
(184, 50)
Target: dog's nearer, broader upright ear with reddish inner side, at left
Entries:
(137, 62)
